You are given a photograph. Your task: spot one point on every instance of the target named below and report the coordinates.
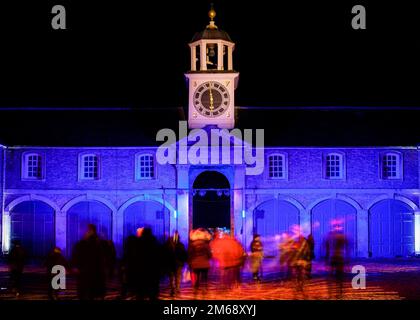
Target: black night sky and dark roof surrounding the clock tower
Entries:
(131, 56)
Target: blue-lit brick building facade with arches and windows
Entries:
(377, 212)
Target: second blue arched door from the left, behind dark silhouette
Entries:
(87, 212)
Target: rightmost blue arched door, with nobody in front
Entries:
(391, 229)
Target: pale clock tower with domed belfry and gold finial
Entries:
(211, 79)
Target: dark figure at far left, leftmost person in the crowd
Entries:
(16, 261)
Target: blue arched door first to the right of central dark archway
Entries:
(271, 219)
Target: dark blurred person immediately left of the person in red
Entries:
(175, 258)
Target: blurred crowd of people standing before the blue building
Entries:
(146, 261)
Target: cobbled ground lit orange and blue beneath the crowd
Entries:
(386, 280)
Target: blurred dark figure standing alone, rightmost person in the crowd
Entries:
(337, 252)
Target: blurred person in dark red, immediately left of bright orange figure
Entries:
(199, 255)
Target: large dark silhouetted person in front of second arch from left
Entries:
(89, 259)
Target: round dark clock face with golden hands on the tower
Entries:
(211, 99)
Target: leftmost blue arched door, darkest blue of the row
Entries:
(32, 222)
